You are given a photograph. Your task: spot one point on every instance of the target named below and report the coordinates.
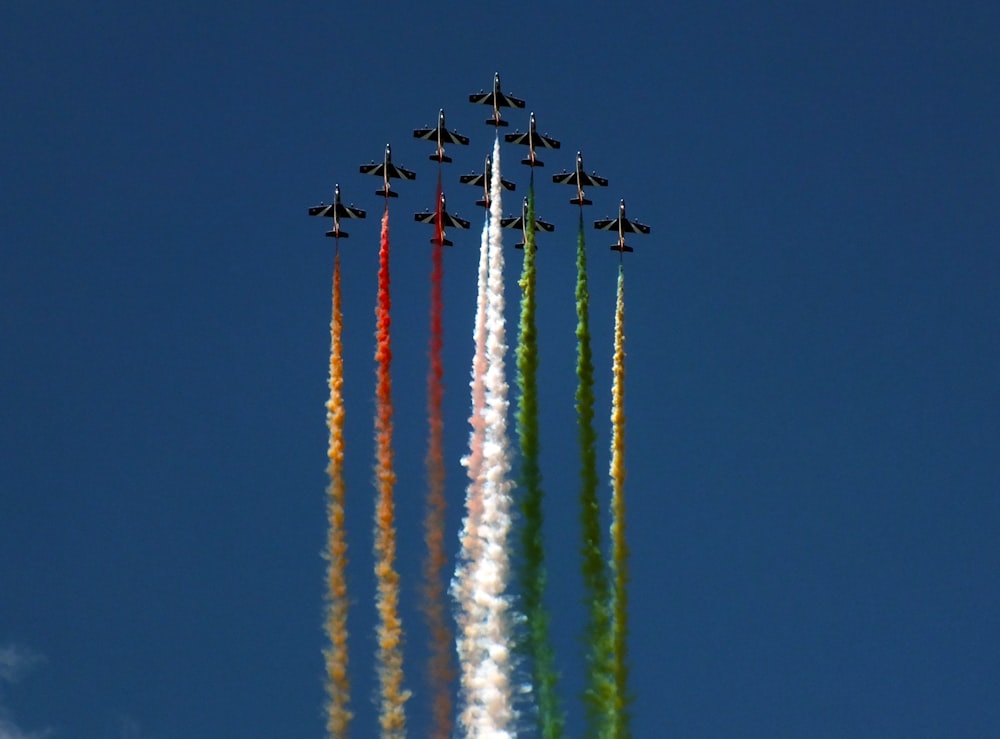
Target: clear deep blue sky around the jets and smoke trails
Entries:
(813, 327)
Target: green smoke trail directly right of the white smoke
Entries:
(538, 645)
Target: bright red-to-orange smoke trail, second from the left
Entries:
(392, 715)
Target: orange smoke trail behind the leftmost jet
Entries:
(337, 684)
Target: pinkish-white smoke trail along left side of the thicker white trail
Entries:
(471, 612)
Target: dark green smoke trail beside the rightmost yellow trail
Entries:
(599, 695)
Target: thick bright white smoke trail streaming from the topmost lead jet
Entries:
(488, 708)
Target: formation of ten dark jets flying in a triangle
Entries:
(440, 135)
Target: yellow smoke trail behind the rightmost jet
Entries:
(619, 548)
